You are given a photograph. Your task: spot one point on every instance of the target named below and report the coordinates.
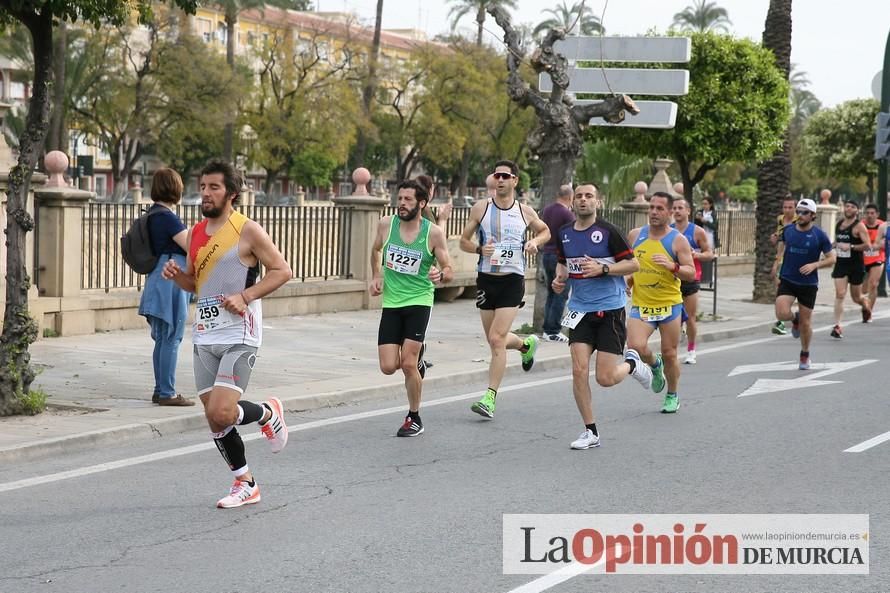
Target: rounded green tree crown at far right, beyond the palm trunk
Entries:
(839, 142)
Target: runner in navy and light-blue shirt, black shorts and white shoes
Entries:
(593, 256)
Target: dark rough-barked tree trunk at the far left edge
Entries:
(19, 329)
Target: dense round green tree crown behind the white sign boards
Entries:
(736, 109)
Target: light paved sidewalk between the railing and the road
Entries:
(99, 386)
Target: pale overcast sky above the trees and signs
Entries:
(840, 45)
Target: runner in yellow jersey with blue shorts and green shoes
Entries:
(665, 259)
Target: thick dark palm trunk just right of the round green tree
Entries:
(774, 175)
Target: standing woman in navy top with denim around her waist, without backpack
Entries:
(163, 303)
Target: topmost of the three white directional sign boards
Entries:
(626, 49)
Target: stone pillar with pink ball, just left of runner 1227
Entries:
(366, 211)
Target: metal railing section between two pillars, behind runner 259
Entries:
(313, 239)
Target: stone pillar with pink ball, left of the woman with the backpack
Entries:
(60, 243)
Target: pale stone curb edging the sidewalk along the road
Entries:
(180, 424)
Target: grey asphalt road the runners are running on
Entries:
(349, 508)
